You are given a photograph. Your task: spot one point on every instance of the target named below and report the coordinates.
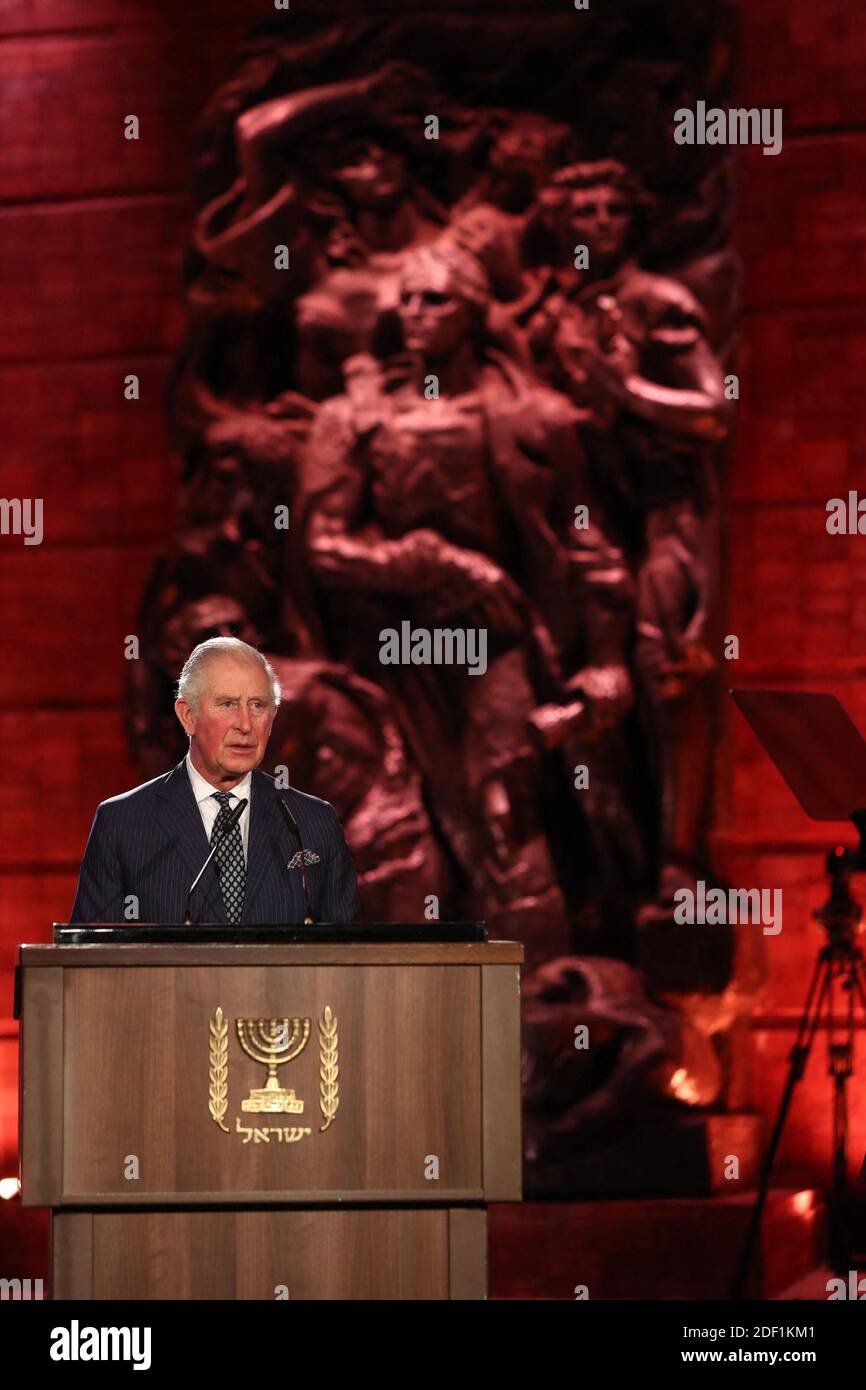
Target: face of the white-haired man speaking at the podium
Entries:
(230, 730)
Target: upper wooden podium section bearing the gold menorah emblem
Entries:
(263, 1084)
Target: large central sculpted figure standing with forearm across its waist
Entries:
(412, 505)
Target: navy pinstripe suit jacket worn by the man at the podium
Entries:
(152, 843)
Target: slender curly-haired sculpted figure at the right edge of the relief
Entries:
(630, 348)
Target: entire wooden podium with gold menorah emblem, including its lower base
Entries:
(238, 1121)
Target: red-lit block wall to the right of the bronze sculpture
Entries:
(797, 597)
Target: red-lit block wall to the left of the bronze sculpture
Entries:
(92, 230)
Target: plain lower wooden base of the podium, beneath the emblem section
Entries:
(401, 1253)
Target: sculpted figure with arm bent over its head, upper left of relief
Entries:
(326, 173)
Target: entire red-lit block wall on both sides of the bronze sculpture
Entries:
(91, 237)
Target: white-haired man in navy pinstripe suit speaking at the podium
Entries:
(272, 862)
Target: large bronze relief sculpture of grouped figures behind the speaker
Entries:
(452, 340)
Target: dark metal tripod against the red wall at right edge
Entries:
(840, 964)
